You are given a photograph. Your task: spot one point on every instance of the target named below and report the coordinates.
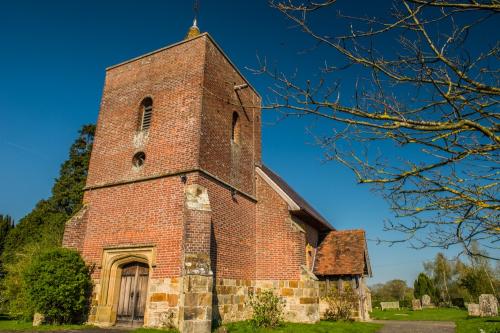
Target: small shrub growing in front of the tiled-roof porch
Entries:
(341, 304)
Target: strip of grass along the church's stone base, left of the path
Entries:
(321, 327)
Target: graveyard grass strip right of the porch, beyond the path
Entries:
(442, 314)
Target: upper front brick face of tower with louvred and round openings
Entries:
(172, 78)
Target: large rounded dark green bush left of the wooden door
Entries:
(58, 286)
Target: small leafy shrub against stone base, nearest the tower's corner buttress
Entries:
(267, 309)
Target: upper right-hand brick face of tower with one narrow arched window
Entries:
(233, 163)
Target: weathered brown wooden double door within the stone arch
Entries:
(133, 293)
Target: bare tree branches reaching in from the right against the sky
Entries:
(424, 87)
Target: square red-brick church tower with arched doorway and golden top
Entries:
(172, 174)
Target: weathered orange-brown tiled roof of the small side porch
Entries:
(343, 253)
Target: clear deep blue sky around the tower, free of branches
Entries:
(52, 61)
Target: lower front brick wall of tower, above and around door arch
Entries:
(142, 213)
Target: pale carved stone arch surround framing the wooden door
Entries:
(113, 260)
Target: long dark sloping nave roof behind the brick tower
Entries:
(305, 210)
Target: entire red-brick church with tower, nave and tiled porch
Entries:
(181, 219)
